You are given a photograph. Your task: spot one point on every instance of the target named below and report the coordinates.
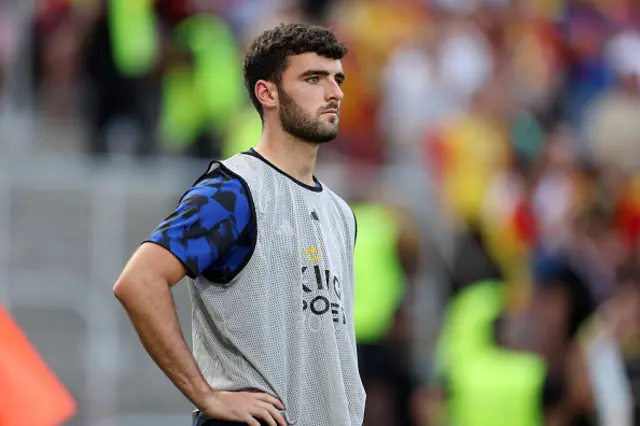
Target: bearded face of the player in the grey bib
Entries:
(310, 96)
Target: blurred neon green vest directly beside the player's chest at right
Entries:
(379, 276)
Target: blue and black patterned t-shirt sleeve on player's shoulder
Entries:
(208, 222)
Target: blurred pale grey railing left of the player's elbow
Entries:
(106, 189)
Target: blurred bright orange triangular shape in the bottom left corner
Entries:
(30, 394)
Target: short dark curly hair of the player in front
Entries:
(266, 58)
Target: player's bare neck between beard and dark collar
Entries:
(295, 157)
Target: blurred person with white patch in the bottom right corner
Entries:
(604, 362)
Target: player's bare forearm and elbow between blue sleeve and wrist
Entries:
(144, 289)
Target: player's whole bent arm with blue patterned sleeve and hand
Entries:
(188, 241)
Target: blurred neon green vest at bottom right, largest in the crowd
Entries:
(488, 385)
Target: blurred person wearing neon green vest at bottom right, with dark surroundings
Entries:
(485, 377)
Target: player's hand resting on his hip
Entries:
(244, 407)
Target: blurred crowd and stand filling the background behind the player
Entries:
(490, 150)
